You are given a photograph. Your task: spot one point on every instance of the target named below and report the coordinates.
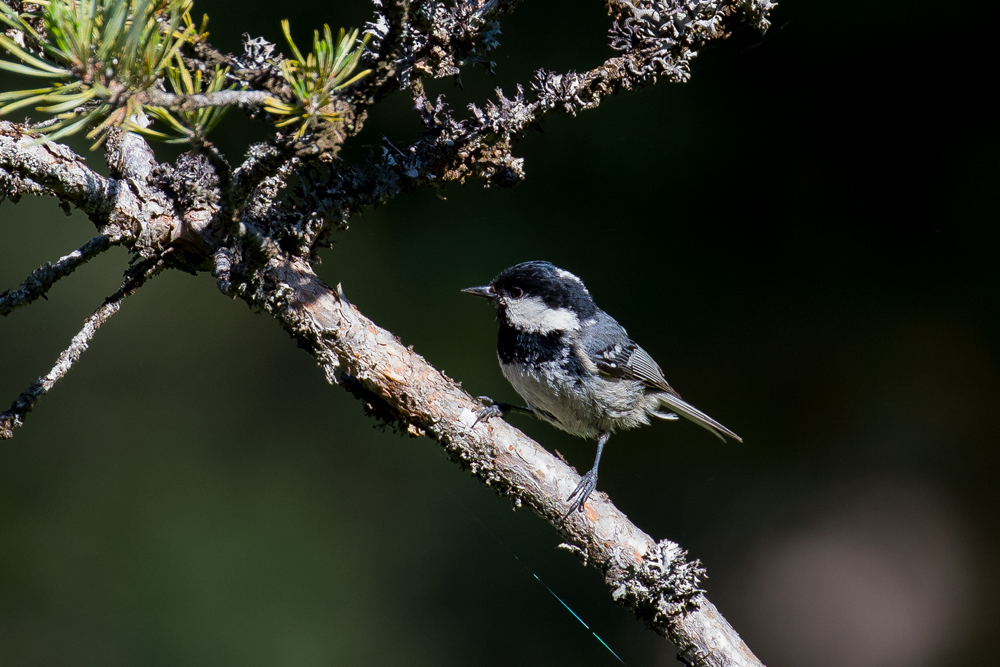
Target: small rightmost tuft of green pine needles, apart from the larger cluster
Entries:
(315, 78)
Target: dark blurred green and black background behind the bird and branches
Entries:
(804, 236)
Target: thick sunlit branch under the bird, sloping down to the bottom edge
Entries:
(654, 580)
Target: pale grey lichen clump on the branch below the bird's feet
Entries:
(661, 587)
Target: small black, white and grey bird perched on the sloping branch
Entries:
(574, 365)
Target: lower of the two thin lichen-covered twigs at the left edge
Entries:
(135, 278)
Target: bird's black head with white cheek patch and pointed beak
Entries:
(534, 295)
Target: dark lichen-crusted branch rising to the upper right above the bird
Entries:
(657, 39)
